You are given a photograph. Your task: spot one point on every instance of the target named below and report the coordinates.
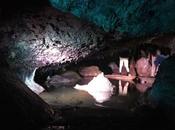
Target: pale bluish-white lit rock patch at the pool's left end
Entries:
(29, 81)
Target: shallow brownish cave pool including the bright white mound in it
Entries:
(113, 93)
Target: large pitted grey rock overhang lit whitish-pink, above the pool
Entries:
(36, 38)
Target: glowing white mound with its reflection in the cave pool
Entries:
(99, 87)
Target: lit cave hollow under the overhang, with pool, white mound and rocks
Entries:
(113, 89)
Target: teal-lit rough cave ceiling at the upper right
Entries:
(128, 17)
